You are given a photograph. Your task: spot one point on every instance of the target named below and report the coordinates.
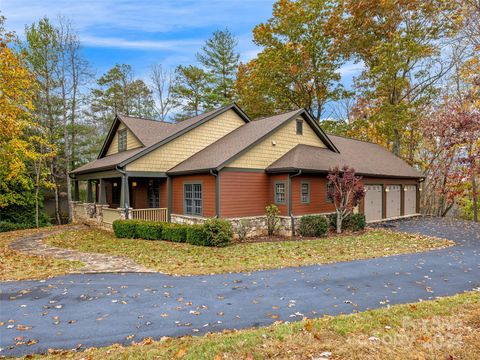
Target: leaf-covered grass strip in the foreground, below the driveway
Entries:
(447, 328)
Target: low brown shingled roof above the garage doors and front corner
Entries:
(366, 158)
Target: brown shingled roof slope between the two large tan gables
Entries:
(234, 144)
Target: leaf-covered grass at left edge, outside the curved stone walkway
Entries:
(18, 266)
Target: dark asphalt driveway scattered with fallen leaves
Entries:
(101, 309)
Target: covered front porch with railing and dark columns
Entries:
(110, 195)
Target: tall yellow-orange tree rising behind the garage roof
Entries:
(400, 44)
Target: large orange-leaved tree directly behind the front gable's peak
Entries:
(298, 65)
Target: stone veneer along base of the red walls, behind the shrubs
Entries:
(258, 224)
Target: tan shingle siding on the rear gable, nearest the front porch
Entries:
(176, 151)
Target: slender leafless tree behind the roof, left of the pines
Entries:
(162, 83)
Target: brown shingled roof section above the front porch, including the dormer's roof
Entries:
(152, 134)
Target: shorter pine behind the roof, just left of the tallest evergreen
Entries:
(191, 91)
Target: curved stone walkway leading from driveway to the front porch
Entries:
(94, 262)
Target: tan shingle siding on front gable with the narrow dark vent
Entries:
(286, 138)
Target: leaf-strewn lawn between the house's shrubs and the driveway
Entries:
(185, 259)
